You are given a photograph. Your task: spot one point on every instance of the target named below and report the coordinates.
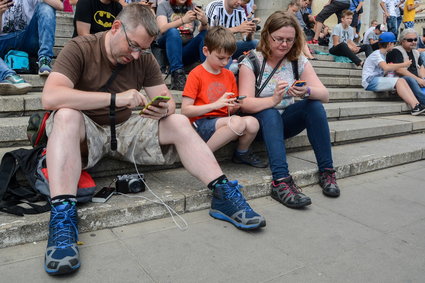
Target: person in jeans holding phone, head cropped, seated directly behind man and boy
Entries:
(177, 21)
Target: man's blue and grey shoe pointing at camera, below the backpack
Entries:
(62, 255)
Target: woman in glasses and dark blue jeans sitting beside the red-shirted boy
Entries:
(285, 109)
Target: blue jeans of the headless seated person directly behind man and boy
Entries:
(178, 54)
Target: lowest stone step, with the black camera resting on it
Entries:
(184, 193)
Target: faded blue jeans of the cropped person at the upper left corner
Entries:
(37, 39)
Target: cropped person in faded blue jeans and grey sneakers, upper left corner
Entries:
(29, 26)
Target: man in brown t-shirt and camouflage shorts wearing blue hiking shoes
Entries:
(93, 118)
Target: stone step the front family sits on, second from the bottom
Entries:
(343, 130)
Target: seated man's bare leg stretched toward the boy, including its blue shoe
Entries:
(227, 204)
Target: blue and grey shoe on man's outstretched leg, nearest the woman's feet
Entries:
(228, 204)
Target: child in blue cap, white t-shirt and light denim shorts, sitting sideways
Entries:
(375, 68)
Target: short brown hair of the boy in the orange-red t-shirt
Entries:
(219, 38)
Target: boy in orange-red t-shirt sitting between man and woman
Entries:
(210, 98)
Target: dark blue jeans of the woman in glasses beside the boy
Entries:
(275, 128)
